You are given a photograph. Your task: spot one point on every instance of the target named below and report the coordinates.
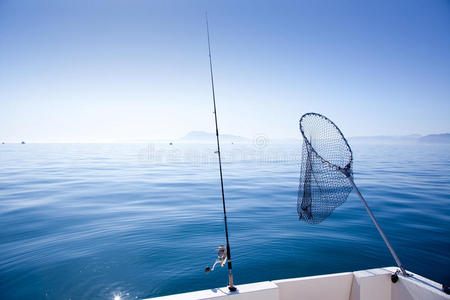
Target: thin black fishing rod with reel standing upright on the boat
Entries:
(223, 254)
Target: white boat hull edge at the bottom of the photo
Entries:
(374, 284)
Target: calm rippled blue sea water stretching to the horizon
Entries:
(94, 221)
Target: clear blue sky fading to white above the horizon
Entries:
(102, 71)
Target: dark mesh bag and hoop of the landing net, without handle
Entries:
(325, 154)
